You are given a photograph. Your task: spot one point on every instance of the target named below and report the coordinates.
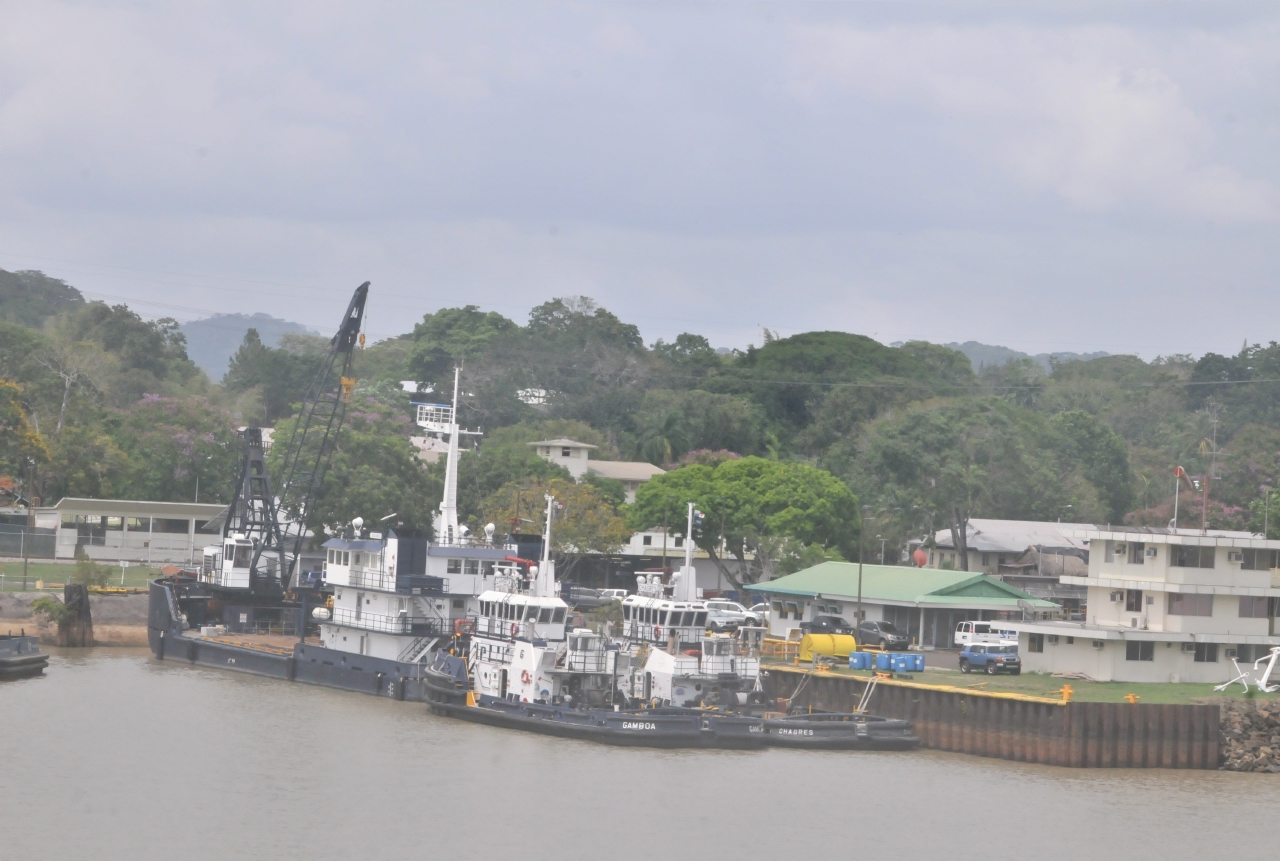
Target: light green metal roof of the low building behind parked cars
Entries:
(900, 584)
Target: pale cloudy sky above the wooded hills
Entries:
(1048, 177)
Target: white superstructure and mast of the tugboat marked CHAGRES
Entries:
(668, 656)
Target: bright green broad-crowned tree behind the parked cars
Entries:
(758, 505)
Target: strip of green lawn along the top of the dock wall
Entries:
(1048, 686)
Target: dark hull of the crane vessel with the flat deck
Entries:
(307, 665)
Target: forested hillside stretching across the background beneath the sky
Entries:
(107, 404)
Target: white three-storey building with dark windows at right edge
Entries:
(1164, 606)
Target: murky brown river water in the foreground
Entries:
(116, 755)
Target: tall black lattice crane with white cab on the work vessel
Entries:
(269, 528)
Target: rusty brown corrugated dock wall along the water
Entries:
(1026, 730)
